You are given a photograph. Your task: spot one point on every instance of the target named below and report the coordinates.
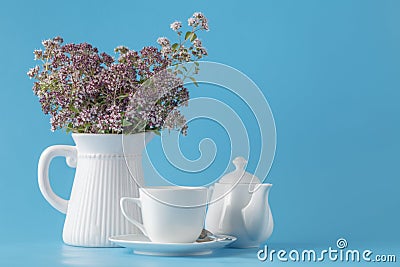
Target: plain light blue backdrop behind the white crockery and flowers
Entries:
(330, 71)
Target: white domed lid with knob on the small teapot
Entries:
(239, 175)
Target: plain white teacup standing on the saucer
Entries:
(170, 214)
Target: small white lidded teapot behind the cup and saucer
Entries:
(239, 207)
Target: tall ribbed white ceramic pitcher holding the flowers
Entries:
(103, 175)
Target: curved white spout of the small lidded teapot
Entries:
(257, 215)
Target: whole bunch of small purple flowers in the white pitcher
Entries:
(86, 91)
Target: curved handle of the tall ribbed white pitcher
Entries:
(69, 152)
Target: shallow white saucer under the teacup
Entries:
(142, 245)
